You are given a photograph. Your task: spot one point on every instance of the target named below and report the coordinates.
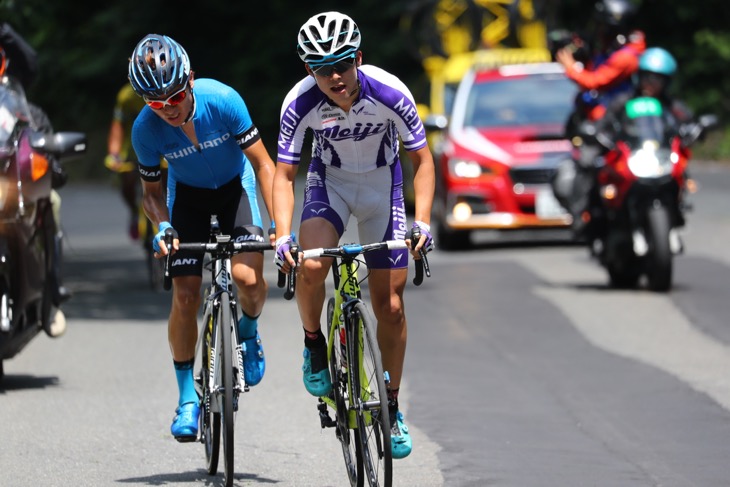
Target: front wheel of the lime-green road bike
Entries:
(371, 411)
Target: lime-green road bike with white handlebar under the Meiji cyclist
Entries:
(359, 384)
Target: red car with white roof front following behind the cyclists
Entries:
(499, 150)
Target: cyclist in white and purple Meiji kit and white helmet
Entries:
(357, 115)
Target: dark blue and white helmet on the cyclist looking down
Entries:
(159, 67)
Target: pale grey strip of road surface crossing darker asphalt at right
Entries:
(640, 325)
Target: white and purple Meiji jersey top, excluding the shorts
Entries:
(357, 141)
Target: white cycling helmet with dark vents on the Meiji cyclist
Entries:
(327, 37)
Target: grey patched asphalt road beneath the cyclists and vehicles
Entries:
(523, 369)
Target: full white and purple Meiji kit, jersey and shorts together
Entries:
(355, 169)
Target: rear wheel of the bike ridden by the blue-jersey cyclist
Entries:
(210, 421)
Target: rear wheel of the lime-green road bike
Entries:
(338, 371)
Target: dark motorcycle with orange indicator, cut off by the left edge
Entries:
(29, 244)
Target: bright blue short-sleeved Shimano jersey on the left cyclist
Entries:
(223, 127)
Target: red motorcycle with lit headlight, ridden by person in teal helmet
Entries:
(642, 187)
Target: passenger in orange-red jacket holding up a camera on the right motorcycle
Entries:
(604, 76)
